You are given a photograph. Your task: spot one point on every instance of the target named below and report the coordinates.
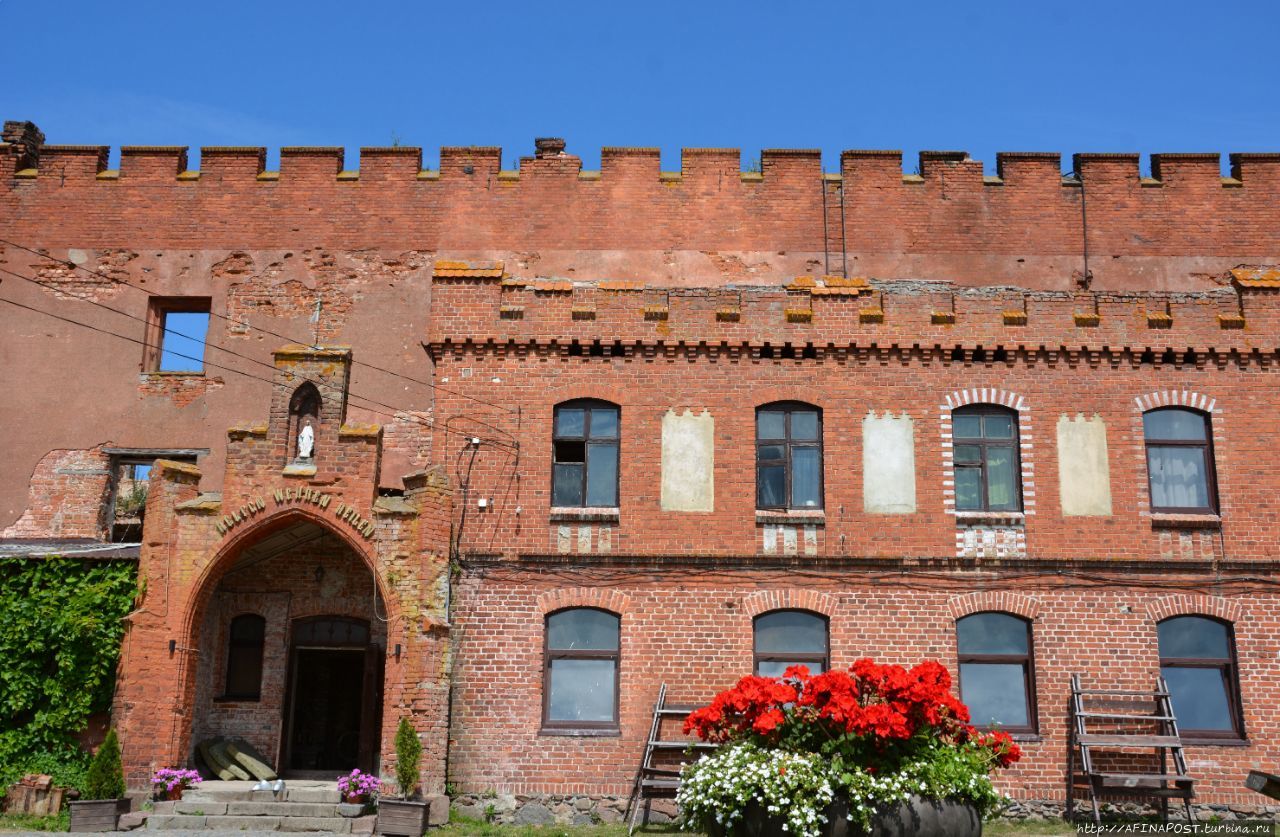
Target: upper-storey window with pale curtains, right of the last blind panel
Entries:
(1180, 461)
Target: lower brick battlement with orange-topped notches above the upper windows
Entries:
(835, 313)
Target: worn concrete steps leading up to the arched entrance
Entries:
(301, 807)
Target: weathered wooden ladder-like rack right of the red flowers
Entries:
(1130, 720)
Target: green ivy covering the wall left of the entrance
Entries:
(61, 632)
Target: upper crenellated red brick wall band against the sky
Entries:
(710, 222)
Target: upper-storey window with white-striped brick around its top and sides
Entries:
(989, 475)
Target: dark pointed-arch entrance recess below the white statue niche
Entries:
(291, 648)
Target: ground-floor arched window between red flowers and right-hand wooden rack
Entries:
(998, 675)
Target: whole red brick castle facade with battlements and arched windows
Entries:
(646, 411)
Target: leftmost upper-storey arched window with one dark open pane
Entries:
(586, 455)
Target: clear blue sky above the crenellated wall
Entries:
(1027, 76)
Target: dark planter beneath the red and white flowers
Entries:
(915, 818)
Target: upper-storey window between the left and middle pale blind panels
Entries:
(789, 456)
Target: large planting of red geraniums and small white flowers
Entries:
(875, 751)
